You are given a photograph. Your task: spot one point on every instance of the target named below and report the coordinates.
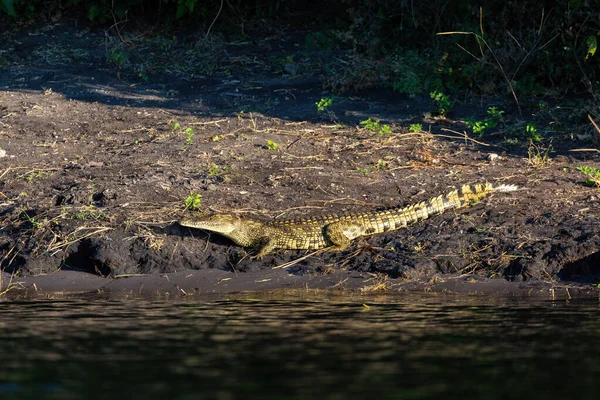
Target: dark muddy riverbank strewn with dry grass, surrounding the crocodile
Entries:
(96, 162)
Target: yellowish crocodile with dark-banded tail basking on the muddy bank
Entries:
(333, 231)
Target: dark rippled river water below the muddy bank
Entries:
(405, 349)
